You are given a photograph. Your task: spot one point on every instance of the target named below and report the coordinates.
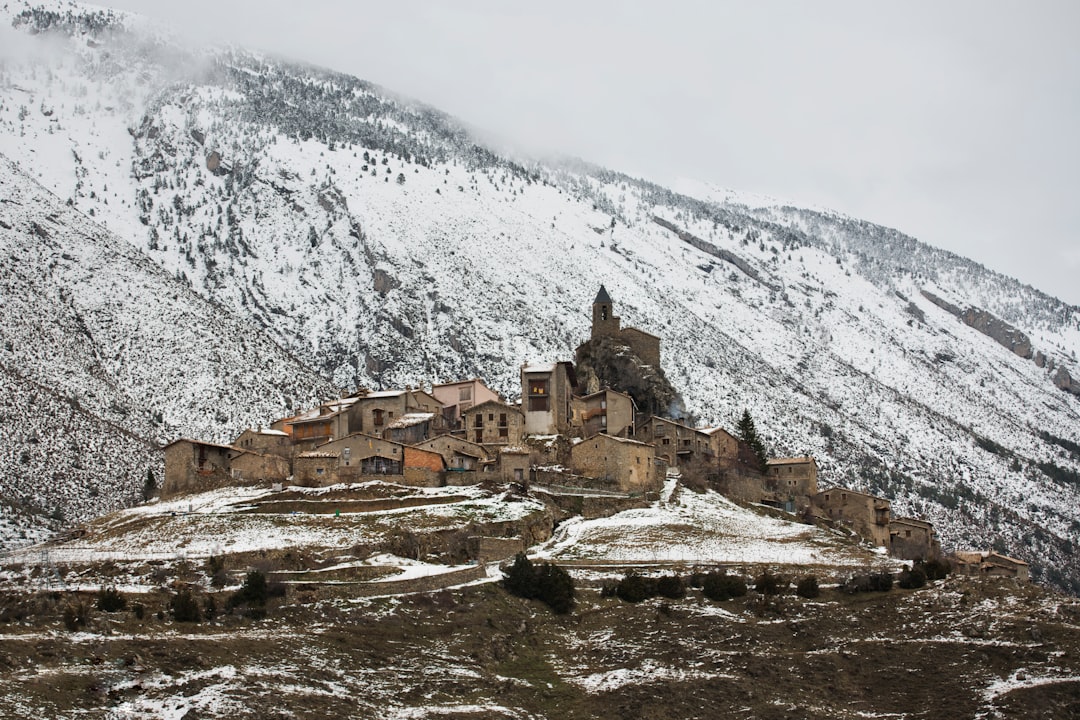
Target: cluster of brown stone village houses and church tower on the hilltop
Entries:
(464, 433)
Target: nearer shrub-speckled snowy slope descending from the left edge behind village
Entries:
(105, 357)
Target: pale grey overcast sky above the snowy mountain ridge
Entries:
(955, 123)
